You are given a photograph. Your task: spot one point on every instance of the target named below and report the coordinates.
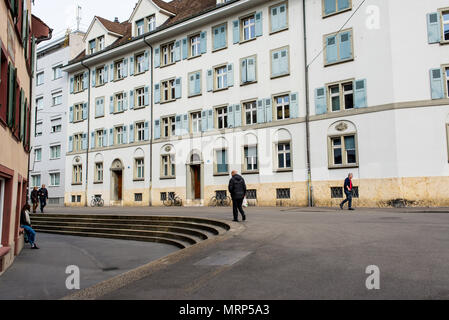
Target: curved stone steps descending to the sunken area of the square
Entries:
(181, 232)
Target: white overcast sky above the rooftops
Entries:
(61, 14)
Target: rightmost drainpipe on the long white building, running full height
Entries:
(306, 74)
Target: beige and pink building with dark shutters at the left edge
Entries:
(19, 31)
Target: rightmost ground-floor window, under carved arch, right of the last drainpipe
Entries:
(343, 151)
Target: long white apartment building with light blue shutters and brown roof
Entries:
(184, 92)
